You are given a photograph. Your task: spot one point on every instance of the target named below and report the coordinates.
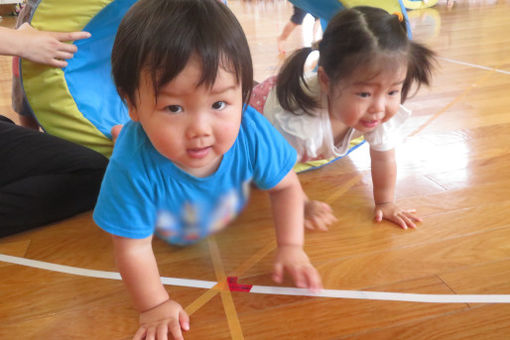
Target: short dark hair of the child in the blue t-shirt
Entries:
(160, 37)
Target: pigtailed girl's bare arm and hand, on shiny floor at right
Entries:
(384, 177)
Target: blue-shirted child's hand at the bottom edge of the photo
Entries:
(156, 323)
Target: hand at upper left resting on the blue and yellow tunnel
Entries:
(47, 47)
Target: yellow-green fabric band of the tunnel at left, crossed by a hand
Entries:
(46, 87)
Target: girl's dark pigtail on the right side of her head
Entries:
(419, 68)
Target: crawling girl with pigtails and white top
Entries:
(367, 65)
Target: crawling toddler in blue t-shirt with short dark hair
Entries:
(182, 167)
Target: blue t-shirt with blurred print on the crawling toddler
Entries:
(143, 192)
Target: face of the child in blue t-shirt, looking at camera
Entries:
(192, 126)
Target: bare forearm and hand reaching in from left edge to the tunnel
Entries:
(39, 46)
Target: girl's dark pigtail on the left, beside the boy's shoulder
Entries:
(290, 82)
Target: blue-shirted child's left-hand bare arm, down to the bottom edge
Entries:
(158, 314)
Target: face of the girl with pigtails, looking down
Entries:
(364, 103)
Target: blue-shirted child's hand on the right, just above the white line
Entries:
(294, 260)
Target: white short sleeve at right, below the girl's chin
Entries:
(389, 134)
